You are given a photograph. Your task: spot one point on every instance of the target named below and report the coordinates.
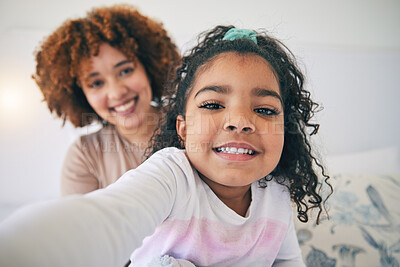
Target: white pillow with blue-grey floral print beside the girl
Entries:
(363, 227)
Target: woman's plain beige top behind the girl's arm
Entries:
(97, 160)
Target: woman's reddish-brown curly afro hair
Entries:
(124, 28)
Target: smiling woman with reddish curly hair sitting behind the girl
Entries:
(108, 66)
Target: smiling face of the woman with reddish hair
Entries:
(117, 88)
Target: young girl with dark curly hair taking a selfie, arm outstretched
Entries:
(235, 151)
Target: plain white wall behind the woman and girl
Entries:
(350, 51)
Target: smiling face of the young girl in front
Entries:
(233, 129)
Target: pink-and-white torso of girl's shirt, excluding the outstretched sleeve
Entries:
(203, 230)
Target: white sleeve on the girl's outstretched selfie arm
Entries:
(101, 228)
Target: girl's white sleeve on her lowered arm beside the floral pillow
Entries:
(289, 254)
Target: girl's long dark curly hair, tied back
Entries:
(297, 162)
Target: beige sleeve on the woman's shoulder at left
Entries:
(77, 175)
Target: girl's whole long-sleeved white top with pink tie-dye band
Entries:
(164, 204)
